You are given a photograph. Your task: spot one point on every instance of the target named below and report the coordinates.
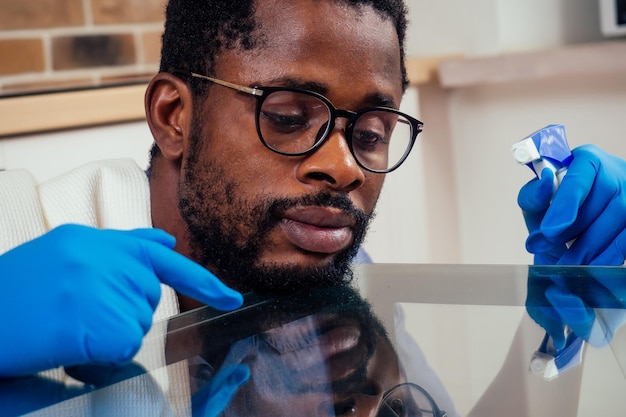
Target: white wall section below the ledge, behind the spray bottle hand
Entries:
(487, 120)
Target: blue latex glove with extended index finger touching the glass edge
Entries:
(79, 295)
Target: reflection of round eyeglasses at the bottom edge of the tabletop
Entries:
(408, 400)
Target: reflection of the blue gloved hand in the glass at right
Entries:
(591, 303)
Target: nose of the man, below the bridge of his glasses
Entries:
(332, 165)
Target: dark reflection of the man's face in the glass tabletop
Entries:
(331, 363)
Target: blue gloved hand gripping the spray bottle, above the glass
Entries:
(589, 206)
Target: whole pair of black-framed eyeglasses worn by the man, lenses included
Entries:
(295, 122)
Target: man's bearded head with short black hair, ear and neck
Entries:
(258, 219)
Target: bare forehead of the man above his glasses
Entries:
(328, 42)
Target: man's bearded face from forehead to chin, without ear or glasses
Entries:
(264, 221)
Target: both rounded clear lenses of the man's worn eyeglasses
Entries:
(294, 122)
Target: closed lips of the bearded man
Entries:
(318, 229)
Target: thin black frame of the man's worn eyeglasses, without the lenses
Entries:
(261, 93)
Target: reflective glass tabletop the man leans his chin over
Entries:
(403, 340)
